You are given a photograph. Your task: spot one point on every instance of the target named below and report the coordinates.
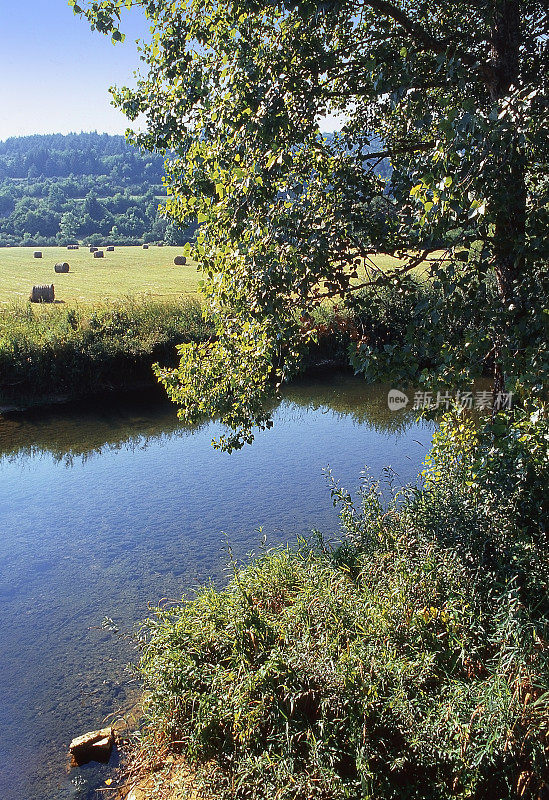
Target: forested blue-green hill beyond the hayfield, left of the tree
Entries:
(86, 187)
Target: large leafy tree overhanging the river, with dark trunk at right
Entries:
(290, 218)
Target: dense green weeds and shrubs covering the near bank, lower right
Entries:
(409, 661)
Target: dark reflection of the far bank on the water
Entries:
(92, 427)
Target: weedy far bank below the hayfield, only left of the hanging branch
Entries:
(46, 352)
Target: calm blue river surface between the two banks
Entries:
(106, 509)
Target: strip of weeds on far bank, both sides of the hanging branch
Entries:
(54, 351)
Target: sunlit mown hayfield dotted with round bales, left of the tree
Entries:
(128, 271)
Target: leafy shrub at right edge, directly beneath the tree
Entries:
(485, 494)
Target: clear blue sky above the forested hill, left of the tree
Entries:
(56, 71)
